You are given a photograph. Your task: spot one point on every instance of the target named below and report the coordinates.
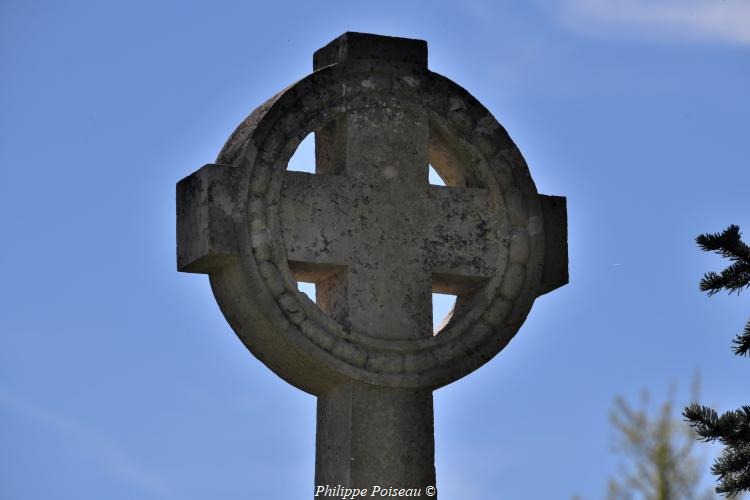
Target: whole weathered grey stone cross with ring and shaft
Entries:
(377, 240)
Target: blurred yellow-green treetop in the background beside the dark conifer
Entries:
(660, 463)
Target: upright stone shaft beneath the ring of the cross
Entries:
(375, 436)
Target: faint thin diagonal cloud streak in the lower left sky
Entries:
(96, 446)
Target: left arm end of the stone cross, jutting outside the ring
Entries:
(205, 231)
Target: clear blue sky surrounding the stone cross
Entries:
(120, 379)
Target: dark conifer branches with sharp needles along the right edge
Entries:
(732, 429)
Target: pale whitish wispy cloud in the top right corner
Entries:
(718, 21)
